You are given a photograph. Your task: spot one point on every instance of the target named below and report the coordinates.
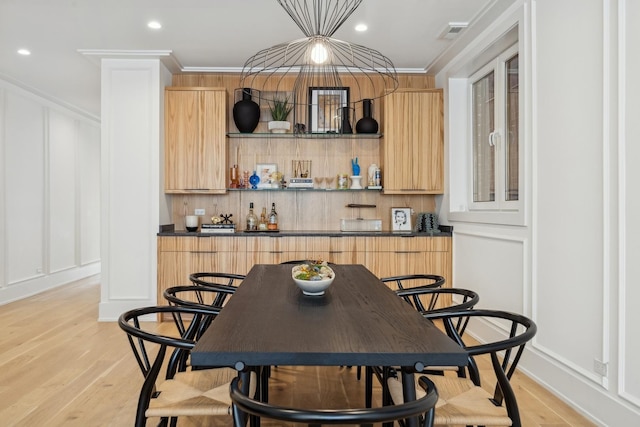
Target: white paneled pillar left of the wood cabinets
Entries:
(132, 203)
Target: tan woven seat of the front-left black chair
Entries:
(191, 393)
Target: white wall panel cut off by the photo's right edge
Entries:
(629, 201)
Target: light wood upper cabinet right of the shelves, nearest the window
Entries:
(412, 150)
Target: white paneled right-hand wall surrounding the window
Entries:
(572, 267)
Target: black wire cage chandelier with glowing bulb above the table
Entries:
(323, 79)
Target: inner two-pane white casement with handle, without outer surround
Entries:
(494, 134)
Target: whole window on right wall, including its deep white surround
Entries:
(489, 104)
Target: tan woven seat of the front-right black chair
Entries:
(460, 402)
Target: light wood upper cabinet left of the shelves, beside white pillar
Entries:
(195, 140)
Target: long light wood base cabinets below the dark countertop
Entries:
(385, 256)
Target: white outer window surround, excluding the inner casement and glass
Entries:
(508, 35)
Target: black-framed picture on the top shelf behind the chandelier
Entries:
(324, 108)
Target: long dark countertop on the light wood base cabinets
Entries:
(446, 231)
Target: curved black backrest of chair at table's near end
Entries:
(422, 407)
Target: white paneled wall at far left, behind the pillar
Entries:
(45, 199)
